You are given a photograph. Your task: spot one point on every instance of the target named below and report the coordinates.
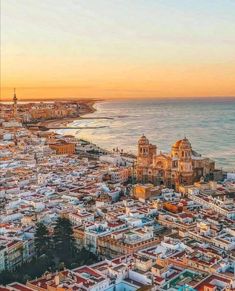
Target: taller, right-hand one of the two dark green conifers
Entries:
(64, 242)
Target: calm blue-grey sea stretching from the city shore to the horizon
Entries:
(209, 124)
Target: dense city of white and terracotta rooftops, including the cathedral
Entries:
(74, 216)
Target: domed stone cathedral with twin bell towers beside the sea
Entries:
(182, 166)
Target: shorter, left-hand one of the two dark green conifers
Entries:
(42, 240)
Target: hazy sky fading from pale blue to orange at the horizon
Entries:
(118, 48)
